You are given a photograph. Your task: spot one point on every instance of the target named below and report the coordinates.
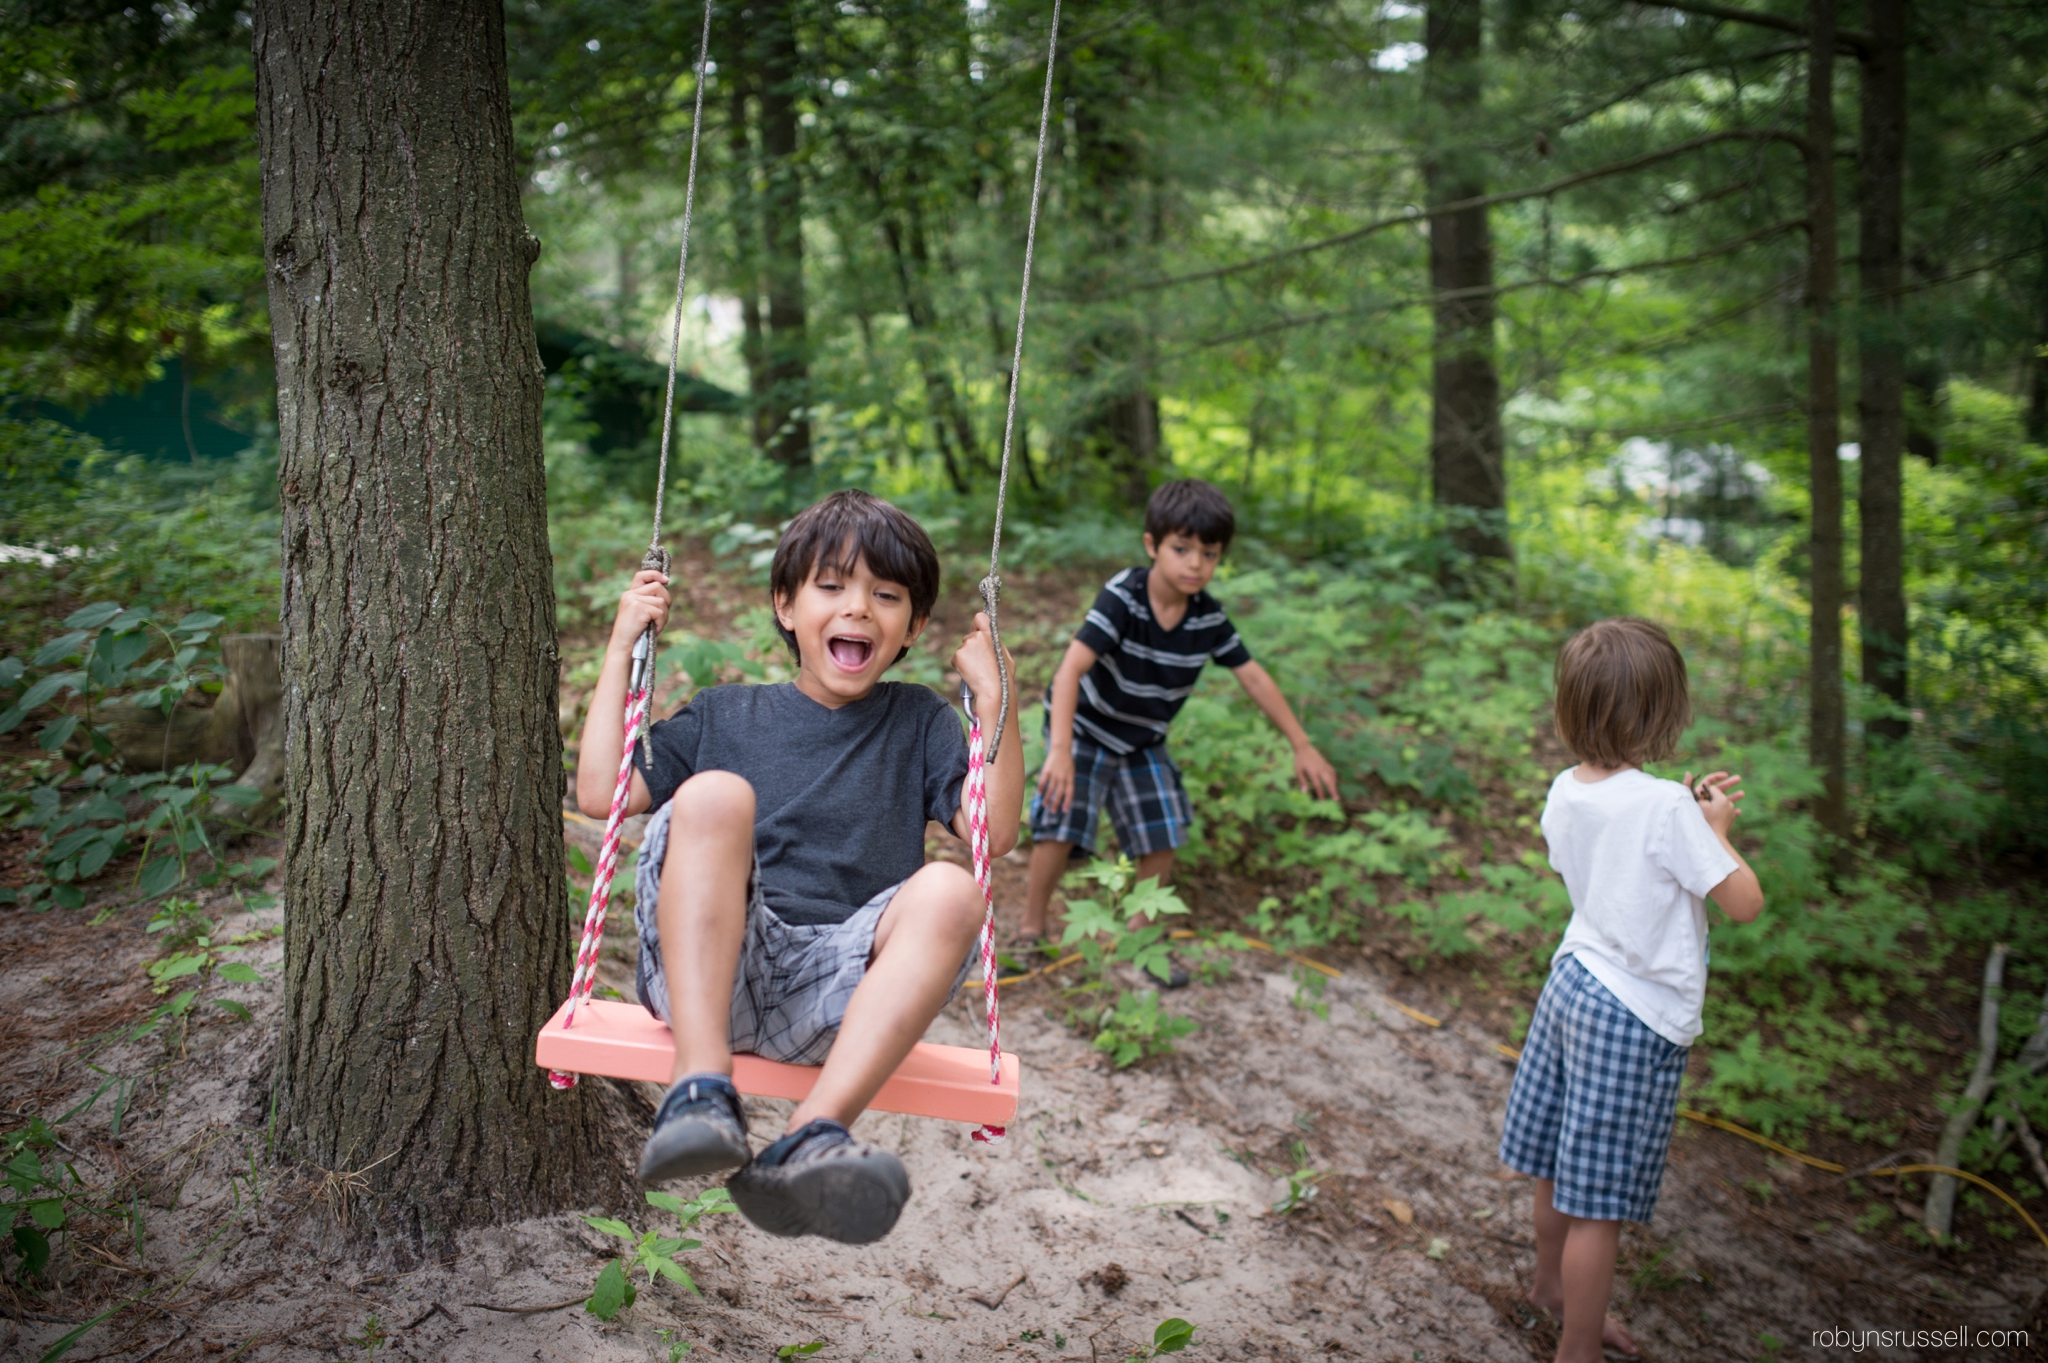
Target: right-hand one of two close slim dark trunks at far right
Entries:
(1881, 357)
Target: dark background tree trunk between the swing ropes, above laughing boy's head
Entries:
(790, 353)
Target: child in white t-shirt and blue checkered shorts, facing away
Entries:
(1596, 1090)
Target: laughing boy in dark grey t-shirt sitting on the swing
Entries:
(785, 906)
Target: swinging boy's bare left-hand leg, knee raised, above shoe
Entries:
(703, 916)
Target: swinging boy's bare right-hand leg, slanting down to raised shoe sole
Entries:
(919, 951)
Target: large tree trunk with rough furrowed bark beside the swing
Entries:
(427, 936)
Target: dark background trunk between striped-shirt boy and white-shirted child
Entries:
(1467, 468)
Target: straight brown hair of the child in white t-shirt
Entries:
(1621, 693)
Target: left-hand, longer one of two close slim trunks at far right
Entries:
(1824, 423)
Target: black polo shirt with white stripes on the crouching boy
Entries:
(1146, 674)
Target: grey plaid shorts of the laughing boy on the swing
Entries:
(796, 979)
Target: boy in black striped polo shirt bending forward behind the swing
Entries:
(1127, 674)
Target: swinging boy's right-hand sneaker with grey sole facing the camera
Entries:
(820, 1182)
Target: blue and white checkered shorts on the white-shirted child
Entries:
(1594, 1100)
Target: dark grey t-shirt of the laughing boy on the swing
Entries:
(841, 797)
